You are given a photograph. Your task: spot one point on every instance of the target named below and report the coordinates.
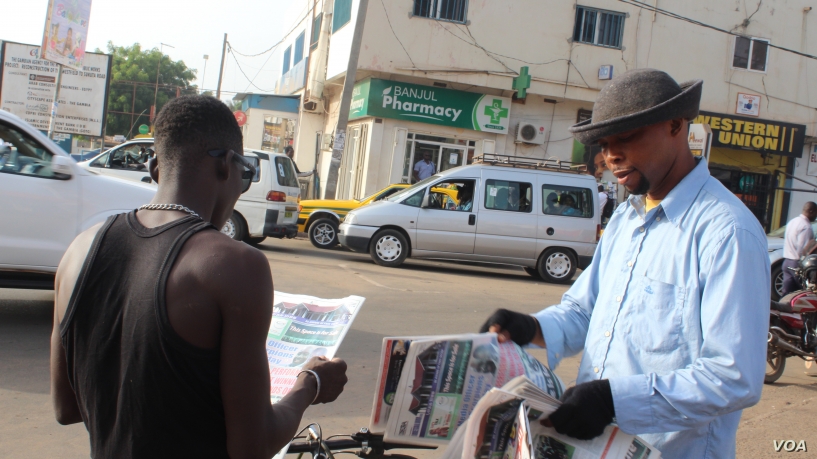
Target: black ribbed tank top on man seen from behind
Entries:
(143, 391)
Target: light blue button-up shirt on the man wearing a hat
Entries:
(674, 312)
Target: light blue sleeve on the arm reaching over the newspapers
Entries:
(565, 325)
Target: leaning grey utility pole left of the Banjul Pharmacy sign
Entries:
(345, 101)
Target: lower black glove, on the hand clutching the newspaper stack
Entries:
(585, 411)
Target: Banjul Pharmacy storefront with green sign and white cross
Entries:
(393, 124)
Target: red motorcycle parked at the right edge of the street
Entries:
(793, 323)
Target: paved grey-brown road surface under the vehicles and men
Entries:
(419, 298)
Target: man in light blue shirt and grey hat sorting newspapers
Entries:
(673, 312)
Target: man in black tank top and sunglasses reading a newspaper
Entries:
(161, 321)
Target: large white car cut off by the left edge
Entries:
(46, 200)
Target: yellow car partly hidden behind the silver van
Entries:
(321, 217)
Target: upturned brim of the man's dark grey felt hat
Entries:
(684, 105)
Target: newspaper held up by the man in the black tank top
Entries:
(303, 327)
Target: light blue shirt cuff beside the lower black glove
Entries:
(632, 404)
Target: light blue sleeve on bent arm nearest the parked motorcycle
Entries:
(728, 375)
